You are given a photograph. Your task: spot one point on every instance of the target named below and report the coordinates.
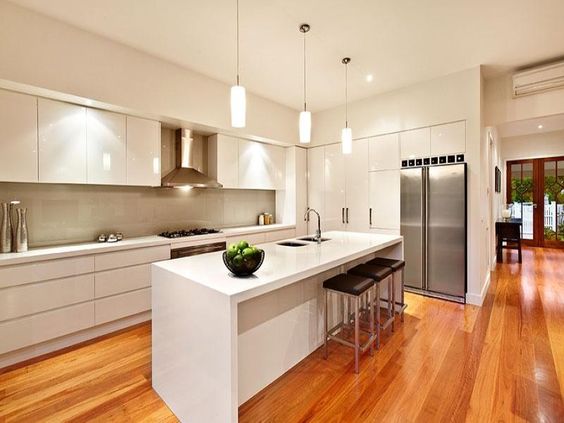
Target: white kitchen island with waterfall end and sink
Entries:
(219, 339)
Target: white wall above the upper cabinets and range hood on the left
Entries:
(41, 52)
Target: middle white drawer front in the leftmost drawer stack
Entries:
(39, 297)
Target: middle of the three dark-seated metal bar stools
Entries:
(379, 274)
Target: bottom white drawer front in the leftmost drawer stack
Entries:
(41, 327)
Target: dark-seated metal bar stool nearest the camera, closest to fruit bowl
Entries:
(350, 287)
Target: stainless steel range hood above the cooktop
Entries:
(186, 173)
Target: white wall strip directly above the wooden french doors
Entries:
(547, 144)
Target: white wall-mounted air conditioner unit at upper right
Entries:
(536, 80)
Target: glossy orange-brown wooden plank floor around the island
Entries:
(502, 362)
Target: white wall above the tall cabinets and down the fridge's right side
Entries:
(450, 98)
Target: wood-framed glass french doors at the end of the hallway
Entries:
(535, 188)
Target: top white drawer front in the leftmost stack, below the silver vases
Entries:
(45, 270)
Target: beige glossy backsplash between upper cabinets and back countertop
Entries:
(59, 214)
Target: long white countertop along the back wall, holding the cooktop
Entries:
(72, 250)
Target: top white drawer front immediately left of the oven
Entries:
(133, 257)
